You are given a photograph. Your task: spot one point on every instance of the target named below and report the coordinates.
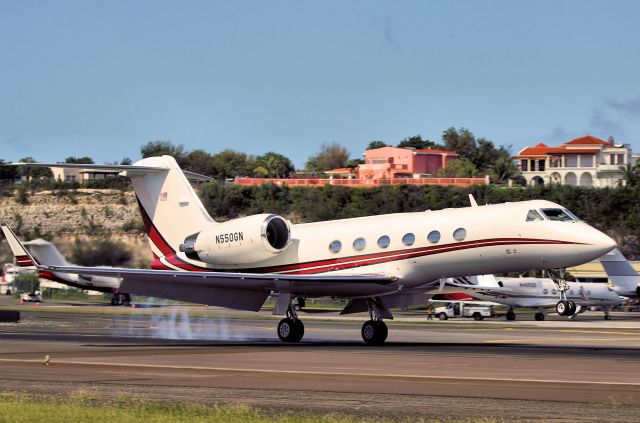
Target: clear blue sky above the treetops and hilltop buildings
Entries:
(101, 78)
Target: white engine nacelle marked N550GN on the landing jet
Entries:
(240, 241)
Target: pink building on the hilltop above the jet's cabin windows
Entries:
(394, 162)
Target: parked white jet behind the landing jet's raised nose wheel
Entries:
(540, 293)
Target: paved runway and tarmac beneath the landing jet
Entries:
(533, 371)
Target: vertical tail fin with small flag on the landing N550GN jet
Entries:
(170, 208)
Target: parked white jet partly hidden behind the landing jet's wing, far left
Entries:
(45, 252)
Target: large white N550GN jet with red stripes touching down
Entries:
(376, 262)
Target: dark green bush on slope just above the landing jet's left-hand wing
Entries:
(100, 252)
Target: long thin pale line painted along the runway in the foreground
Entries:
(312, 373)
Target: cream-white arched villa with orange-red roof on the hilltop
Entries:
(585, 161)
